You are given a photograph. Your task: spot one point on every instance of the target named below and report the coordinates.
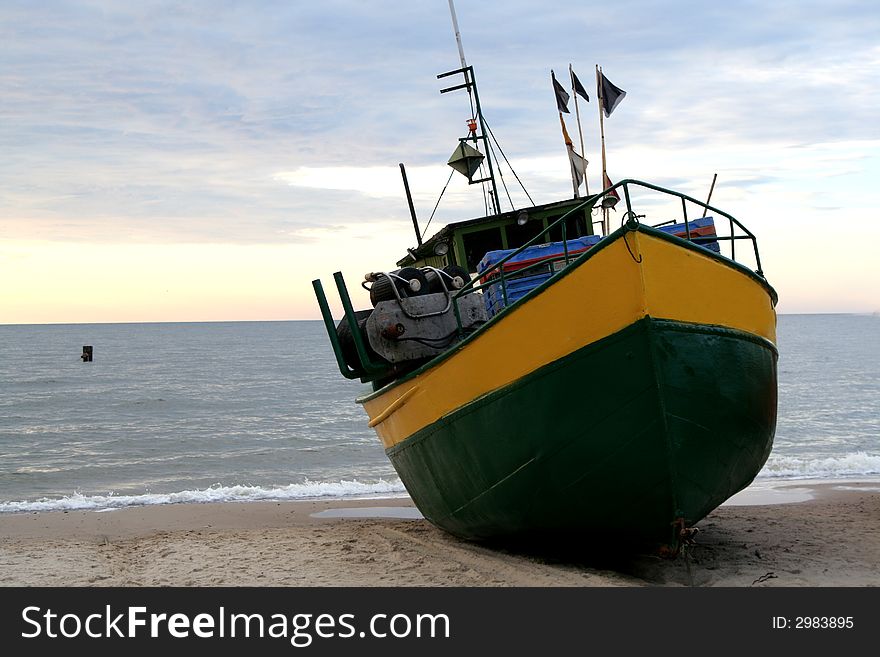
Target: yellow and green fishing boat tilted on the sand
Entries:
(536, 373)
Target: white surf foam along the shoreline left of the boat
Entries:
(307, 490)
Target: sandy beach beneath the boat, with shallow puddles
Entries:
(830, 538)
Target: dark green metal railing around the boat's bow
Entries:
(496, 274)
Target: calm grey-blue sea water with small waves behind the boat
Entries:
(238, 411)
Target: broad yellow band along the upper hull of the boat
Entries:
(604, 293)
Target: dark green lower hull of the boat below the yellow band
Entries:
(635, 436)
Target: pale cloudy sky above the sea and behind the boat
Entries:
(204, 161)
